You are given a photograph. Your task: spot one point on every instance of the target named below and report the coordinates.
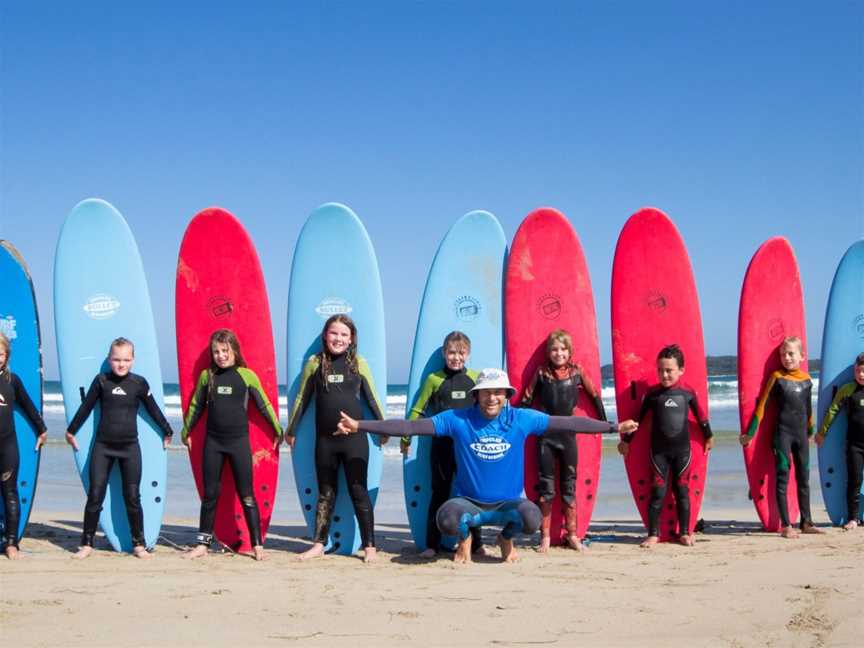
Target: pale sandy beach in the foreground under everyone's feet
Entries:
(736, 587)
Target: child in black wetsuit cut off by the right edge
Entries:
(850, 396)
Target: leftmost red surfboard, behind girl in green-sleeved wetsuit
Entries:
(220, 285)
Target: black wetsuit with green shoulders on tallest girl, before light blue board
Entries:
(339, 390)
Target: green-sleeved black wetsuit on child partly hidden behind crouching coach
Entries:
(443, 390)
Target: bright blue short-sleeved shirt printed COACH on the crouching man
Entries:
(490, 454)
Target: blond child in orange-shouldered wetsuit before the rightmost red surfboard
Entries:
(789, 387)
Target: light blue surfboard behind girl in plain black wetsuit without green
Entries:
(100, 293)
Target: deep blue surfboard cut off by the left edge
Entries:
(19, 320)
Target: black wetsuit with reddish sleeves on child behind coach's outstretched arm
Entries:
(556, 391)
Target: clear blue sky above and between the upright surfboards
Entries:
(741, 120)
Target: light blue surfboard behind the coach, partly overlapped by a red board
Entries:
(463, 292)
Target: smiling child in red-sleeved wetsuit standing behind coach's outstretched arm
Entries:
(554, 389)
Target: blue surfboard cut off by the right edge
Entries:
(842, 340)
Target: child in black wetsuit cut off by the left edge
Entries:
(12, 393)
